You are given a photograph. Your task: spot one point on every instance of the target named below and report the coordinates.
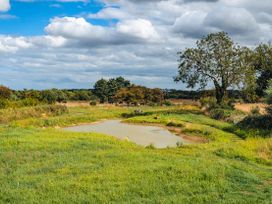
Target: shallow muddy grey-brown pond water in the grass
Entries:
(139, 134)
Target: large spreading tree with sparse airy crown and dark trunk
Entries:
(216, 59)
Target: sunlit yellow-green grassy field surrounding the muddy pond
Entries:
(40, 163)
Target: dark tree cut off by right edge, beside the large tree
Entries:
(263, 66)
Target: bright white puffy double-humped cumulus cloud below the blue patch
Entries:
(126, 31)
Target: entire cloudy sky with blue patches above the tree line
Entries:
(73, 43)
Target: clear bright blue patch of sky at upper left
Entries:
(30, 18)
